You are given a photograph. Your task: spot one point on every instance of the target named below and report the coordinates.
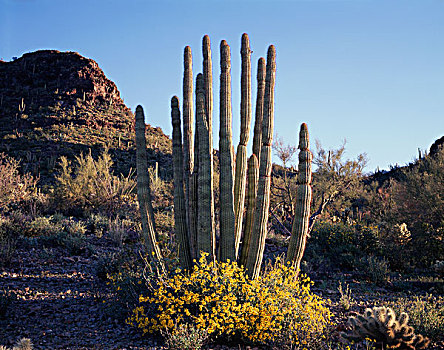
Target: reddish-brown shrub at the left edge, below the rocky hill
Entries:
(17, 190)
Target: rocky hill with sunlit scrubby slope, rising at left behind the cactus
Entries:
(60, 103)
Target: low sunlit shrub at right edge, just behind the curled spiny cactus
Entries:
(426, 314)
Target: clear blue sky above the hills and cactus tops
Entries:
(368, 71)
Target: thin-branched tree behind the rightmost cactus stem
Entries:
(337, 182)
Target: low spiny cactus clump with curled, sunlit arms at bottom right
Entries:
(380, 324)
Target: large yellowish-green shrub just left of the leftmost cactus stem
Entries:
(90, 186)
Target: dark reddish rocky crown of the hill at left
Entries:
(50, 77)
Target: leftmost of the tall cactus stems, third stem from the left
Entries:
(188, 142)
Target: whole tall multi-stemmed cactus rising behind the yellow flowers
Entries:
(193, 165)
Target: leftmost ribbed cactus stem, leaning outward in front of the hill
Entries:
(143, 189)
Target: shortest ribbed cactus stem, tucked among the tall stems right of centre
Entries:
(253, 177)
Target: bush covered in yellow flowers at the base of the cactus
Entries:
(220, 299)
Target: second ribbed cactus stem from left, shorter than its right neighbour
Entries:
(180, 218)
